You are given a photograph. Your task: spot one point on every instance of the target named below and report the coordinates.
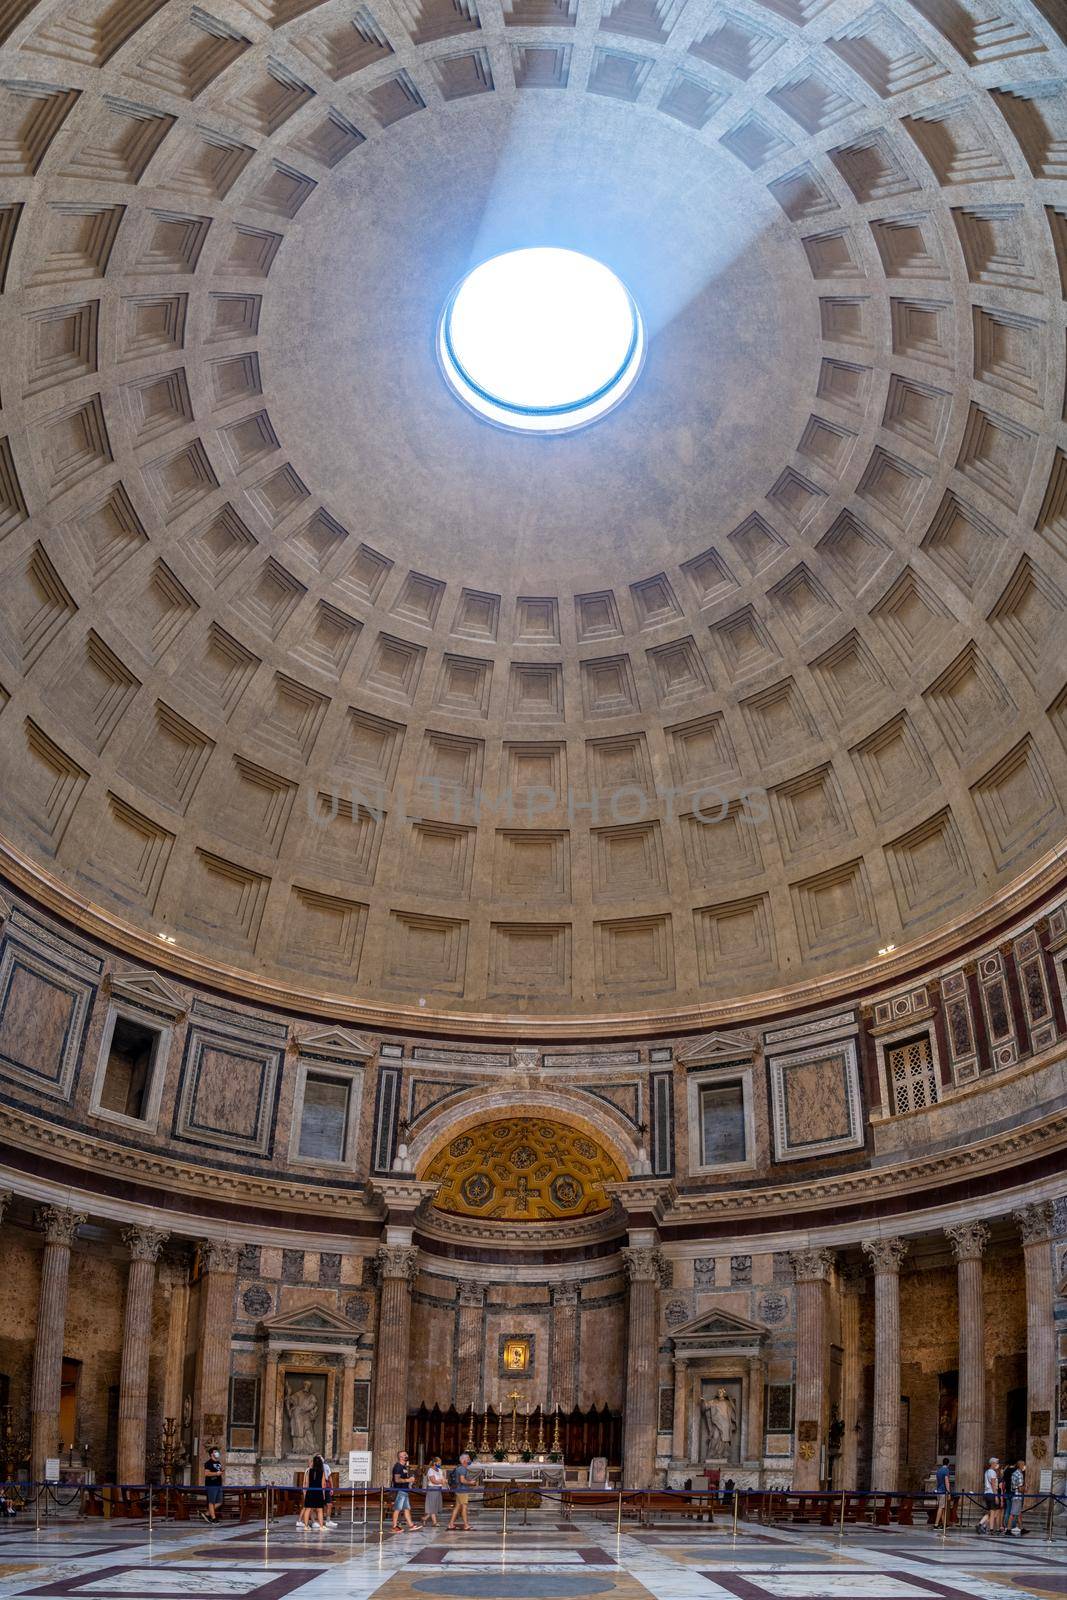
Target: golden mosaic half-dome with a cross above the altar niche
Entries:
(524, 1170)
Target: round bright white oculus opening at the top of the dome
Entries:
(541, 340)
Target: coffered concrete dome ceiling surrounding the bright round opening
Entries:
(321, 690)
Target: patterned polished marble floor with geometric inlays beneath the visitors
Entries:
(545, 1559)
